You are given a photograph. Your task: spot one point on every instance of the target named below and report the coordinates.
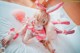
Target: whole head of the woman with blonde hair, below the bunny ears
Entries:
(42, 17)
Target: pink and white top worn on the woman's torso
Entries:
(40, 34)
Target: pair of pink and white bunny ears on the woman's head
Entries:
(45, 9)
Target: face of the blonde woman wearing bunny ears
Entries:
(43, 18)
